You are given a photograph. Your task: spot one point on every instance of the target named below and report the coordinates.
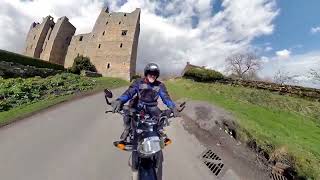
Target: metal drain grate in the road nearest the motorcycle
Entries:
(212, 161)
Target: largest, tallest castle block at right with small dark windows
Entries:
(112, 44)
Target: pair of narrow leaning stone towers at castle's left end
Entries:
(49, 41)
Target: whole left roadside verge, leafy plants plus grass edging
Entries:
(20, 97)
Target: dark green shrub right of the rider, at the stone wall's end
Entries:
(203, 75)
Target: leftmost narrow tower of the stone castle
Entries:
(36, 37)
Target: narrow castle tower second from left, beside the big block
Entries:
(57, 41)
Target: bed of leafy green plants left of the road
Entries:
(19, 91)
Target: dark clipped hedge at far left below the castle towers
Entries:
(25, 60)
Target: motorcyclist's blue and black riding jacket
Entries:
(148, 93)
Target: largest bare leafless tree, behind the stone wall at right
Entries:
(243, 65)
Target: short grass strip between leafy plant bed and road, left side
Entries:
(23, 110)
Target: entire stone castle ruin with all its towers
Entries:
(111, 45)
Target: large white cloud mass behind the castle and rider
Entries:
(167, 35)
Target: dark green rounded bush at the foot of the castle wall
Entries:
(82, 63)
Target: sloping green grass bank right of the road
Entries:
(281, 121)
